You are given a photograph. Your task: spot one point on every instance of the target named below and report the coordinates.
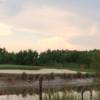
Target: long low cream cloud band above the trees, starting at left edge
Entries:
(41, 45)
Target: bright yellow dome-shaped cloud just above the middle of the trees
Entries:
(53, 43)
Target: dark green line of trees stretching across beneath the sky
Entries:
(49, 57)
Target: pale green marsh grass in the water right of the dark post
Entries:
(53, 94)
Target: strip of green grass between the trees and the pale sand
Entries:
(27, 67)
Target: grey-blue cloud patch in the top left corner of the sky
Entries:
(12, 7)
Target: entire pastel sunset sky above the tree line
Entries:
(49, 24)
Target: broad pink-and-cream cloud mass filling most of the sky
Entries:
(57, 28)
